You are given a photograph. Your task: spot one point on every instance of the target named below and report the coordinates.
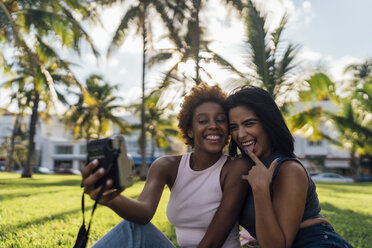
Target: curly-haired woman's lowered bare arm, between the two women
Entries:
(234, 192)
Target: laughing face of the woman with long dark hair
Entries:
(247, 131)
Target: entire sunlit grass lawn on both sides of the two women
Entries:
(45, 211)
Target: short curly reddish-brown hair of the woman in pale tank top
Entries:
(199, 94)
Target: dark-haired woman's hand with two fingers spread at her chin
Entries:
(259, 177)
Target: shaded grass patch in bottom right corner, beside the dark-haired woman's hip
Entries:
(356, 228)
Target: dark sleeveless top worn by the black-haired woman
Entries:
(312, 207)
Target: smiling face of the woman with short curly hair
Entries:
(209, 127)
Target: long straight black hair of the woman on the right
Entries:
(264, 107)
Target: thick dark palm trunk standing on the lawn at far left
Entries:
(27, 170)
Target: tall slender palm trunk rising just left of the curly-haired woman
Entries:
(144, 168)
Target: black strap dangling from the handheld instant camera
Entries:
(82, 237)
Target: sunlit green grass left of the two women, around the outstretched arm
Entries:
(45, 211)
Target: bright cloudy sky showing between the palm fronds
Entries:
(331, 33)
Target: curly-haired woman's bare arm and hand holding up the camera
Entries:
(140, 210)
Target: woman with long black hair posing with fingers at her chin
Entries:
(281, 208)
